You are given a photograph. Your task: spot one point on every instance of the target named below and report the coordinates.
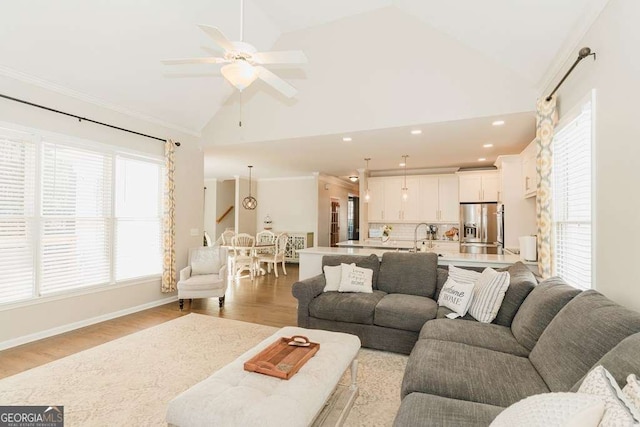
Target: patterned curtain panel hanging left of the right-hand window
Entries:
(545, 123)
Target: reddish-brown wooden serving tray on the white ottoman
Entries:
(282, 360)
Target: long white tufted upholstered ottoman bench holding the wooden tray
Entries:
(235, 397)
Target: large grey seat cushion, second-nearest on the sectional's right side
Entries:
(461, 371)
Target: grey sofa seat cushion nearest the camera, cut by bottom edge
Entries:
(419, 409)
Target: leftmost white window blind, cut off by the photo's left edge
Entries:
(17, 208)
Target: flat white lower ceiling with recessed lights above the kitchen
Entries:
(441, 145)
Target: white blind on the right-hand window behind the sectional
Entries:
(572, 163)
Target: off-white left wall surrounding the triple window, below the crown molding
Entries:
(24, 320)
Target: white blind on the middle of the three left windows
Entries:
(76, 211)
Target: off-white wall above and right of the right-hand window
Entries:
(615, 36)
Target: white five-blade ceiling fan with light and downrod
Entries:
(243, 63)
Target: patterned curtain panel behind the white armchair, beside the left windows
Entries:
(169, 222)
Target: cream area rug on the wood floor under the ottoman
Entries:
(130, 381)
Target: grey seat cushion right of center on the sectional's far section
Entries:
(407, 312)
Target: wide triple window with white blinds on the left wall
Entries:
(75, 216)
